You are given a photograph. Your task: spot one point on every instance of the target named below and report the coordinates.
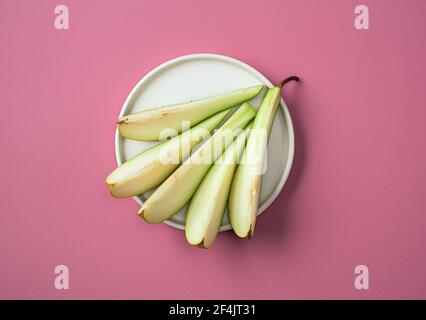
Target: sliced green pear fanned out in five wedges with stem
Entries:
(206, 167)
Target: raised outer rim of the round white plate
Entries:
(243, 65)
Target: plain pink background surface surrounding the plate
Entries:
(356, 193)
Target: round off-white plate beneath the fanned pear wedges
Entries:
(197, 76)
